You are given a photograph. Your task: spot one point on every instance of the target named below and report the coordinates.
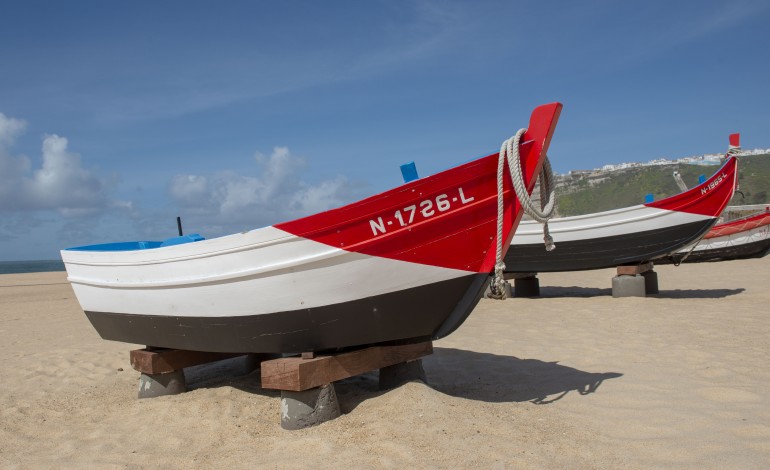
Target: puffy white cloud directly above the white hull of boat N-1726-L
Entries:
(276, 194)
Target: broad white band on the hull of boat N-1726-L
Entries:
(254, 282)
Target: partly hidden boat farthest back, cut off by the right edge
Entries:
(746, 237)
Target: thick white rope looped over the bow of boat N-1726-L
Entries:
(509, 151)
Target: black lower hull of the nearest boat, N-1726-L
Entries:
(424, 312)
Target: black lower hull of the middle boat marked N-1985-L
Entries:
(606, 252)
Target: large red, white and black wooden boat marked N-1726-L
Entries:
(410, 263)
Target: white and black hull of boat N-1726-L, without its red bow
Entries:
(272, 291)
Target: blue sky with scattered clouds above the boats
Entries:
(116, 117)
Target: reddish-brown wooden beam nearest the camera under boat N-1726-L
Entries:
(297, 374)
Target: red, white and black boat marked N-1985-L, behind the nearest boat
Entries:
(627, 236)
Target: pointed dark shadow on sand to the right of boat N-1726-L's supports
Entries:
(496, 378)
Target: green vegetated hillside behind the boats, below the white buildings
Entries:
(624, 188)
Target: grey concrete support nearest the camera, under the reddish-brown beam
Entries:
(309, 407)
